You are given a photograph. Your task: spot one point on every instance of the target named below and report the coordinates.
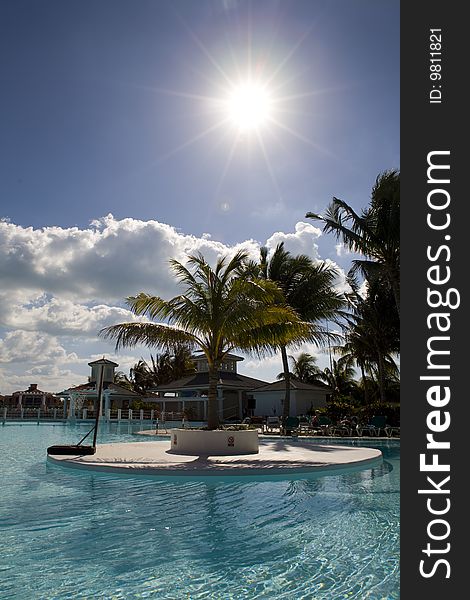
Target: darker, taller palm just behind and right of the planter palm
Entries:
(308, 289)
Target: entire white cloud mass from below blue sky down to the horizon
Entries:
(60, 286)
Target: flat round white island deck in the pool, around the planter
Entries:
(278, 457)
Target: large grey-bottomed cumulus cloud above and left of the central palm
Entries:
(106, 262)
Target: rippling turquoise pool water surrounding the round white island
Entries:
(67, 534)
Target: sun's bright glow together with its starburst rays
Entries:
(253, 101)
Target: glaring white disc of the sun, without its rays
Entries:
(249, 106)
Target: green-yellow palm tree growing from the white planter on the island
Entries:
(221, 309)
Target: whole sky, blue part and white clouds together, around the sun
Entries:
(115, 108)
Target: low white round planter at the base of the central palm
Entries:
(214, 443)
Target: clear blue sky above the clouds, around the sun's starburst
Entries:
(87, 128)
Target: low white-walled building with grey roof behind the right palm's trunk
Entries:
(304, 397)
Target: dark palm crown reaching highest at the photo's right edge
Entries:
(375, 233)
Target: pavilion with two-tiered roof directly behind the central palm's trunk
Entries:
(189, 394)
